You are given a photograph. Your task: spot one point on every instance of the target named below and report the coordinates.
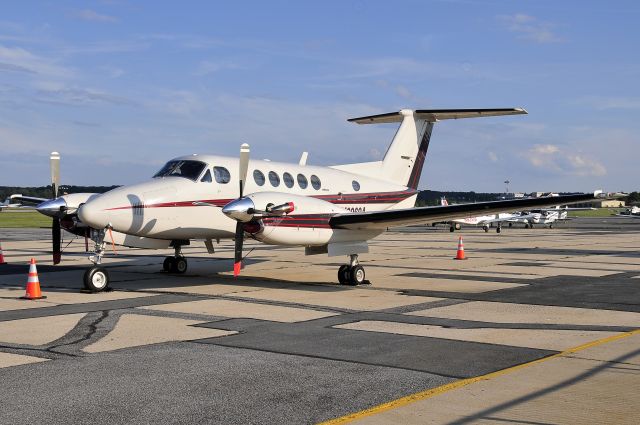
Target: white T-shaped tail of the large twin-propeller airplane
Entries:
(403, 162)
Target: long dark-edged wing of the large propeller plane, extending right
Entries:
(404, 217)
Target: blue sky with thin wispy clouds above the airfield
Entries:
(119, 87)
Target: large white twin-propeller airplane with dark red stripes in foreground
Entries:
(333, 210)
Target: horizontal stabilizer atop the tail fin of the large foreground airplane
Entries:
(433, 115)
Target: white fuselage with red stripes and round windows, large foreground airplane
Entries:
(186, 204)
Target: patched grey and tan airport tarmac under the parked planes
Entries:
(286, 344)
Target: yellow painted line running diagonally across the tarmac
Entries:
(422, 395)
